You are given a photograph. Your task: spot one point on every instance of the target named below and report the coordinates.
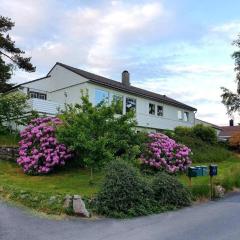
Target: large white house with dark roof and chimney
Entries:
(63, 84)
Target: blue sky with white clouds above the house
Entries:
(181, 48)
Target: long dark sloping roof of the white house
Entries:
(106, 82)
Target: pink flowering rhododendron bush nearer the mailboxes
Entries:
(164, 153)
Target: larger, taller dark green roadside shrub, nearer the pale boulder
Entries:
(124, 192)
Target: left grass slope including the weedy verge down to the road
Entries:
(46, 193)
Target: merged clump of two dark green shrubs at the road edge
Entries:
(126, 193)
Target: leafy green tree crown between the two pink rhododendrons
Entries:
(97, 135)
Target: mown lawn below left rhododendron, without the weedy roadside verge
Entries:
(64, 182)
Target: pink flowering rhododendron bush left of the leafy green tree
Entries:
(39, 151)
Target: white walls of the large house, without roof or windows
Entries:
(65, 86)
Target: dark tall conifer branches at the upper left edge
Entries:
(11, 57)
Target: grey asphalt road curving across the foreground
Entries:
(214, 220)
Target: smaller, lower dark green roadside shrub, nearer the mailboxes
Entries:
(169, 191)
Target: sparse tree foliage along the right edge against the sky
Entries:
(230, 99)
